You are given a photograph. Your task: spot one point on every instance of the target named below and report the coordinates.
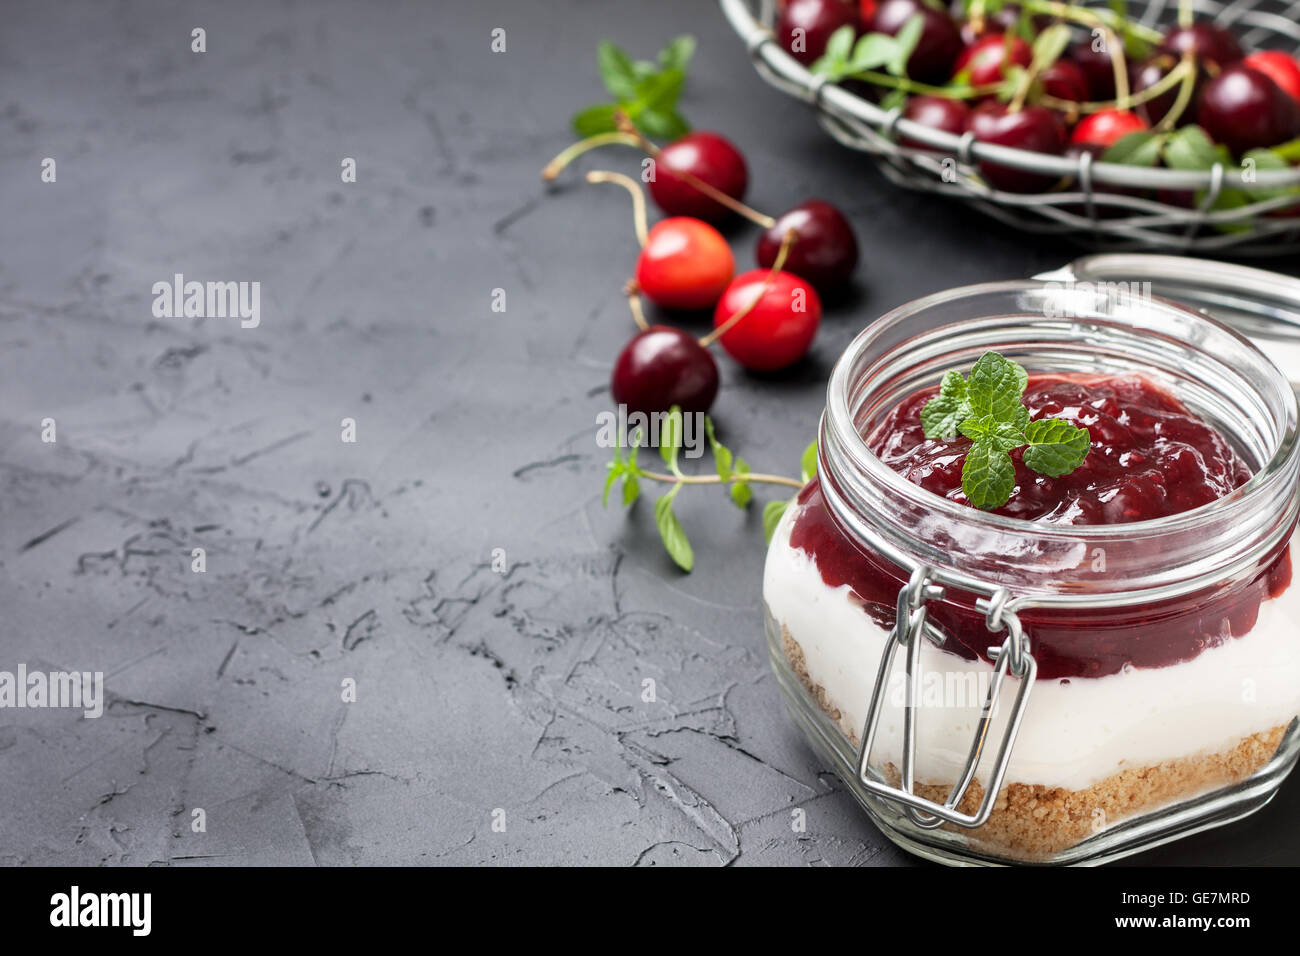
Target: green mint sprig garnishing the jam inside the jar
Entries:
(990, 410)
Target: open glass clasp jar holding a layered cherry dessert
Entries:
(1033, 693)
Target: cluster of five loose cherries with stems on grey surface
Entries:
(765, 318)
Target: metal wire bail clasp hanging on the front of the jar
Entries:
(1012, 657)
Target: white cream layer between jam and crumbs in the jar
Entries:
(1077, 732)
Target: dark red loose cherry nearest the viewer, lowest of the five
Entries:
(662, 367)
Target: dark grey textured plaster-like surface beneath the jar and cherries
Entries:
(476, 431)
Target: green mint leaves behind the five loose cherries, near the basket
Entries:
(645, 92)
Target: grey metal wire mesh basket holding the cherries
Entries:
(1128, 217)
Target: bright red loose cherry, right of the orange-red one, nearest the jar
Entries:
(779, 330)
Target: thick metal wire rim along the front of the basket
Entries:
(831, 98)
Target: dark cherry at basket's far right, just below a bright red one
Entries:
(1245, 110)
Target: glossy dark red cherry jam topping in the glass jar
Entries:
(1151, 457)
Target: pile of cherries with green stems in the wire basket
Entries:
(977, 68)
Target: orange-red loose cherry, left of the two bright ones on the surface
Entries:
(684, 265)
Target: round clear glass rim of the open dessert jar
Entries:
(839, 417)
